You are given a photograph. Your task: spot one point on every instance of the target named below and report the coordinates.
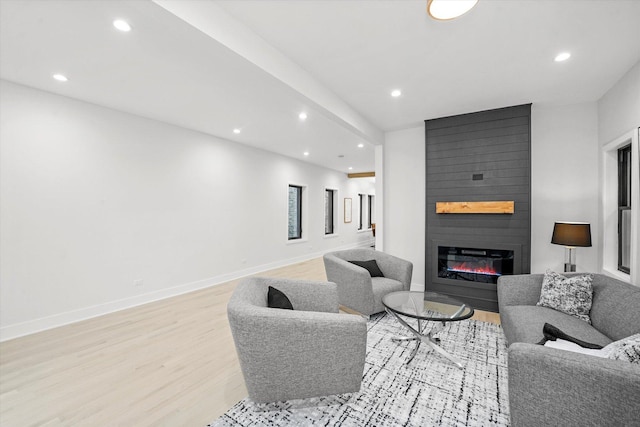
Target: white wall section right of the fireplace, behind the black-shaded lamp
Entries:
(564, 181)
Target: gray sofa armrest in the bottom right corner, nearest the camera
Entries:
(554, 387)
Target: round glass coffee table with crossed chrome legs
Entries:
(429, 307)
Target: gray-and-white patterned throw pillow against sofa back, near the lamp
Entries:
(570, 295)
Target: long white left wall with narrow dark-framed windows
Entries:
(94, 199)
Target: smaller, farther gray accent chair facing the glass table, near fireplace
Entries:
(359, 291)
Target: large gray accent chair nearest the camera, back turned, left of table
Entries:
(309, 351)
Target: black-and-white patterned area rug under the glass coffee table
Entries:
(430, 391)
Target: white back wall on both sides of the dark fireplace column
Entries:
(564, 186)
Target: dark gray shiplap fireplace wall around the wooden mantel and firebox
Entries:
(483, 156)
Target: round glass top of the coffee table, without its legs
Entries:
(427, 306)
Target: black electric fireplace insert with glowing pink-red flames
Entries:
(474, 264)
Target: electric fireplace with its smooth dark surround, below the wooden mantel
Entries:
(469, 270)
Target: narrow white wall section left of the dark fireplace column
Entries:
(404, 198)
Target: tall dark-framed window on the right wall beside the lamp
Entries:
(624, 209)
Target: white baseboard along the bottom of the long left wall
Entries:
(42, 324)
